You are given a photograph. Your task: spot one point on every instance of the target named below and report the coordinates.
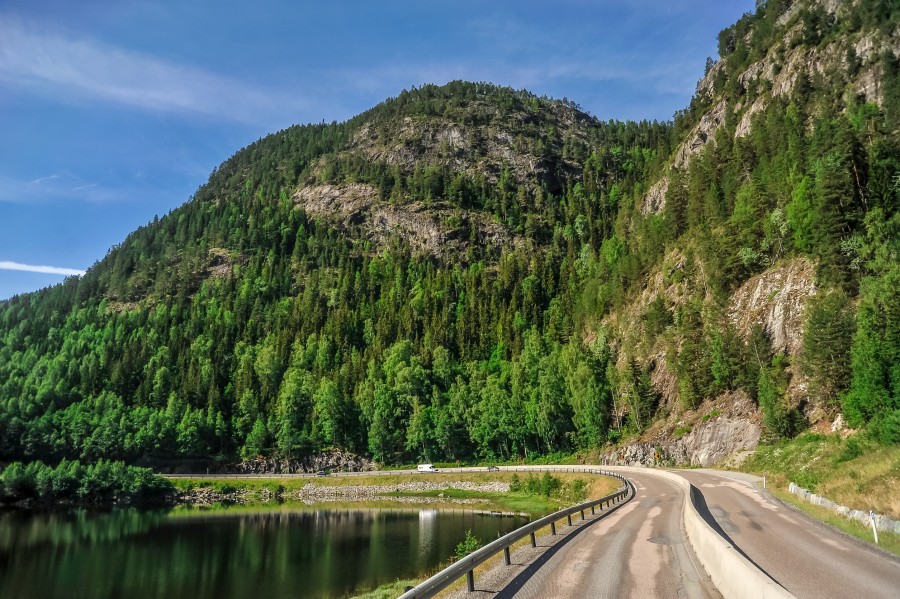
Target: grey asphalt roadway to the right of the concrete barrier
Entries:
(806, 557)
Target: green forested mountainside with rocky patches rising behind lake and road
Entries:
(469, 271)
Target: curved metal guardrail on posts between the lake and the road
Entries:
(466, 566)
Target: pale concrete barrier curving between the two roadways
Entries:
(734, 575)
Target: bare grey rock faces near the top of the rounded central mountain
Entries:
(534, 149)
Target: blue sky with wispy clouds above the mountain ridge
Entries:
(112, 112)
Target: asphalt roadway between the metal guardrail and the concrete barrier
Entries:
(639, 551)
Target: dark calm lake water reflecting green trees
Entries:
(271, 553)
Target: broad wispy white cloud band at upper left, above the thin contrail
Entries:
(62, 66)
